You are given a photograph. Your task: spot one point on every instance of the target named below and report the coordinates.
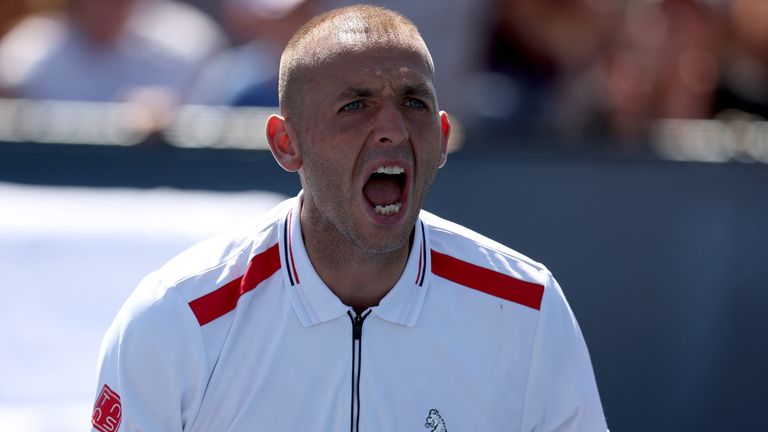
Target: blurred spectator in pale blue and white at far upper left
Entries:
(108, 50)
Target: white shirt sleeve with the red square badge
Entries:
(152, 365)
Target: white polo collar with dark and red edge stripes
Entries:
(315, 303)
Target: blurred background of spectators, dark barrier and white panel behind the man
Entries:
(624, 143)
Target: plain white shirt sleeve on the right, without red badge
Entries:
(562, 393)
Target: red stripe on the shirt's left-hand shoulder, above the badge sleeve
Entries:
(224, 299)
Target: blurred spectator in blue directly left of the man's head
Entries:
(246, 75)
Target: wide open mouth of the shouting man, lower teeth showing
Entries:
(384, 190)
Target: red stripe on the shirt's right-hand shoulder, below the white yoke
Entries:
(487, 281)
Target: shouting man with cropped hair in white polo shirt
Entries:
(347, 307)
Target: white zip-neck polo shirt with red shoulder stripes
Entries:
(239, 333)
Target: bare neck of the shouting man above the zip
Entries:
(358, 279)
